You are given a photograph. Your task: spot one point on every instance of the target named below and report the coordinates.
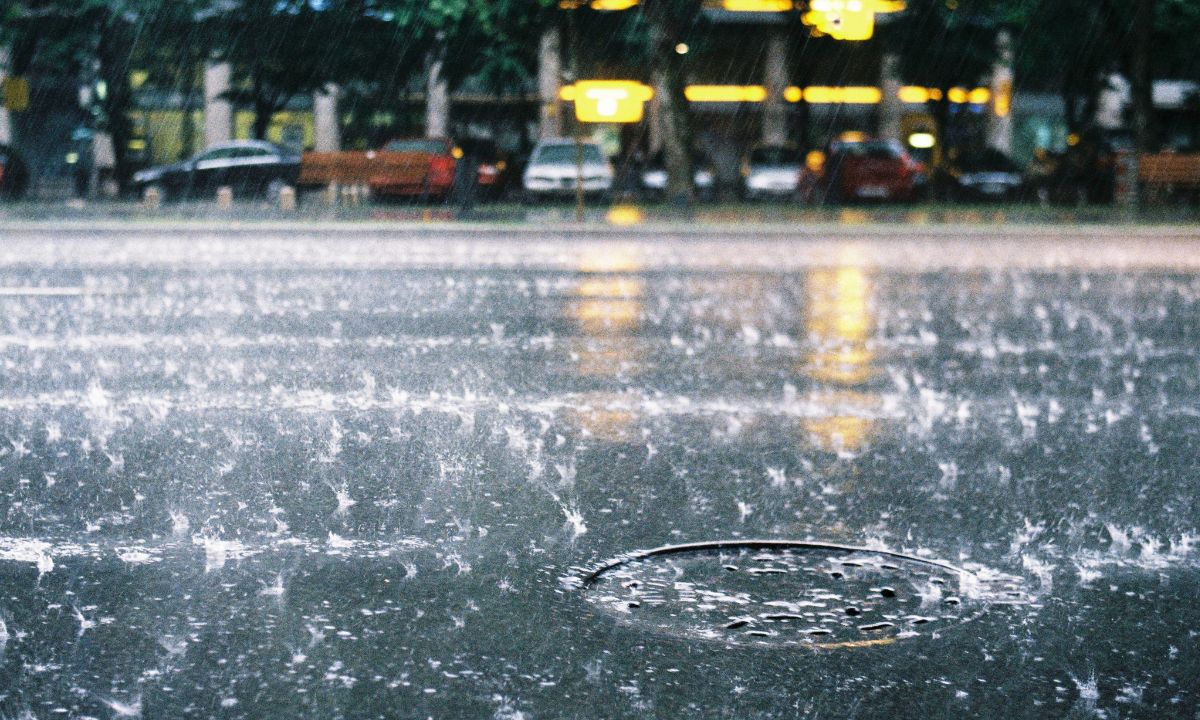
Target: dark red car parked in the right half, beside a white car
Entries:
(866, 170)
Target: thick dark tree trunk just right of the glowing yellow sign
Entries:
(668, 80)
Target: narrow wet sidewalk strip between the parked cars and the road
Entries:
(735, 218)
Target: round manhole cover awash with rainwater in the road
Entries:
(775, 592)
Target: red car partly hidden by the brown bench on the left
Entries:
(423, 169)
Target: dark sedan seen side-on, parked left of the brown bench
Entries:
(248, 167)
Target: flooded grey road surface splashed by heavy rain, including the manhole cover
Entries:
(353, 477)
